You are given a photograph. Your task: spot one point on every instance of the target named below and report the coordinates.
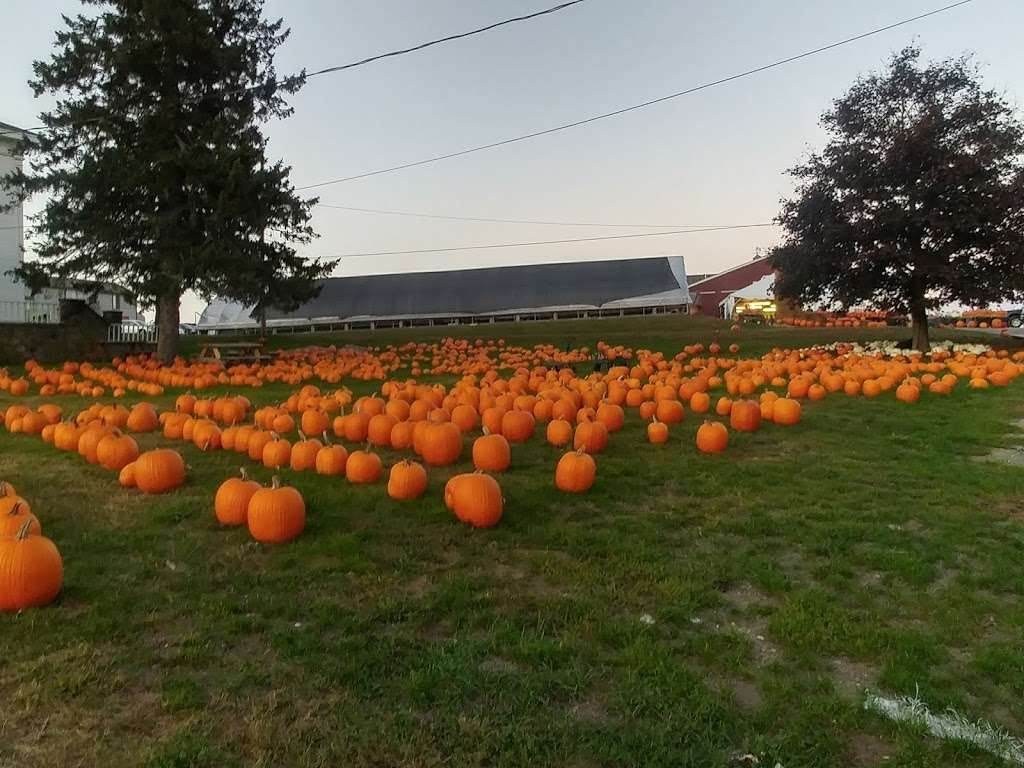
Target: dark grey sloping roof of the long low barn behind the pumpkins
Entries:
(496, 290)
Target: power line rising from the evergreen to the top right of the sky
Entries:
(644, 105)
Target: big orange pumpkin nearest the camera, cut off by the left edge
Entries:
(31, 571)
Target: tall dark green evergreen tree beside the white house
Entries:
(154, 161)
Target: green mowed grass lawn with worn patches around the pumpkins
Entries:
(689, 611)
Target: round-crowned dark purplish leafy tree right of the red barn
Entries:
(916, 201)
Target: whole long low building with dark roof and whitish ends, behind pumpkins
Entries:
(604, 288)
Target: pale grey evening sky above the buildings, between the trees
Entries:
(717, 157)
